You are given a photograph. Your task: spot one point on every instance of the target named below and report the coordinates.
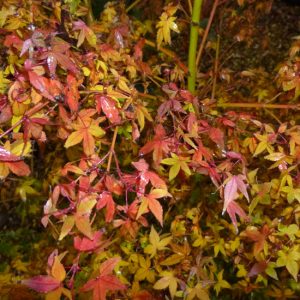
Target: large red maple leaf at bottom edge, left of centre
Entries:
(105, 281)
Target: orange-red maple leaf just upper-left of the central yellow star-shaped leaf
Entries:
(159, 145)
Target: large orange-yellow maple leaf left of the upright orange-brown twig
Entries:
(86, 129)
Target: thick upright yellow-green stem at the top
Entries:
(193, 45)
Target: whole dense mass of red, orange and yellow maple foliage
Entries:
(134, 147)
